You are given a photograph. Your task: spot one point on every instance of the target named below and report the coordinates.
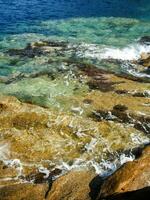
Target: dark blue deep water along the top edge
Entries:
(14, 12)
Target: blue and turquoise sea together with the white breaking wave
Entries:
(106, 29)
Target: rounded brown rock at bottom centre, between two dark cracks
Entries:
(72, 186)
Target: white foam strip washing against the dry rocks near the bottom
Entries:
(103, 167)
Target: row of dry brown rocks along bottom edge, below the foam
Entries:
(131, 182)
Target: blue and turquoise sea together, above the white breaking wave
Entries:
(73, 19)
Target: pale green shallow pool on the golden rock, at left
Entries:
(45, 92)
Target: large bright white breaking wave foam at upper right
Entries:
(120, 58)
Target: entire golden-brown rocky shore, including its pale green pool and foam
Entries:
(66, 132)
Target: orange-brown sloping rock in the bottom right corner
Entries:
(130, 177)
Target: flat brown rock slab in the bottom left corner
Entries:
(24, 191)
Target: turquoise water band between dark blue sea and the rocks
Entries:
(108, 31)
